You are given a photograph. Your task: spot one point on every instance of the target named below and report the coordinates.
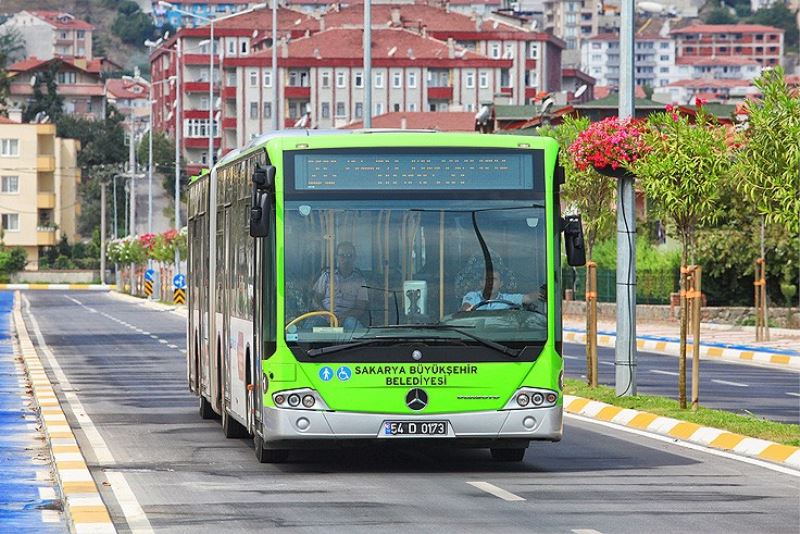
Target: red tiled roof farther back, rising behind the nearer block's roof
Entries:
(436, 20)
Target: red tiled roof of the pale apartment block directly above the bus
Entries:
(347, 43)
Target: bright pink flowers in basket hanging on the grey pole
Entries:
(610, 143)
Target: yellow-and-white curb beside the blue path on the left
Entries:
(84, 509)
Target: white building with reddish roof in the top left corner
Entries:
(50, 34)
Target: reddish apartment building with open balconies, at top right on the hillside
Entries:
(763, 44)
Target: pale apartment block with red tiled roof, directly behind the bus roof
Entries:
(321, 81)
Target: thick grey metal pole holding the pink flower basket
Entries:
(625, 350)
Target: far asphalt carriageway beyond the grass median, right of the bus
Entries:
(770, 393)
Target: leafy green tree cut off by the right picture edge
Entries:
(768, 165)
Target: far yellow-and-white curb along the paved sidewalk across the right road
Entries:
(777, 361)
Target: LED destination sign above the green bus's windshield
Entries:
(434, 170)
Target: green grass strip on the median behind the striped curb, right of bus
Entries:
(747, 425)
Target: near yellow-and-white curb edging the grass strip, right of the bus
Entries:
(705, 436)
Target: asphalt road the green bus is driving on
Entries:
(166, 469)
